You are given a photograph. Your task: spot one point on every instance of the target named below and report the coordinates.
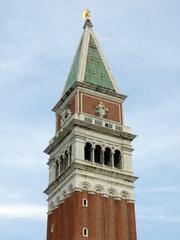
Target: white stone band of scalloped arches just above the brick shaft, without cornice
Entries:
(92, 184)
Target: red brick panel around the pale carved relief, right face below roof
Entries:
(89, 104)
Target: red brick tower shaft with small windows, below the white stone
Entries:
(105, 218)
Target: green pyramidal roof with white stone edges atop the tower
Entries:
(89, 64)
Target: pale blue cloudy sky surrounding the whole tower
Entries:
(38, 40)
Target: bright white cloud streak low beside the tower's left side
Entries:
(23, 211)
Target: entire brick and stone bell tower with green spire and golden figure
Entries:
(90, 191)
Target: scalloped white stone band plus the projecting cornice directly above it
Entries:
(77, 180)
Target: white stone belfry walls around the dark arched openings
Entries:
(77, 140)
